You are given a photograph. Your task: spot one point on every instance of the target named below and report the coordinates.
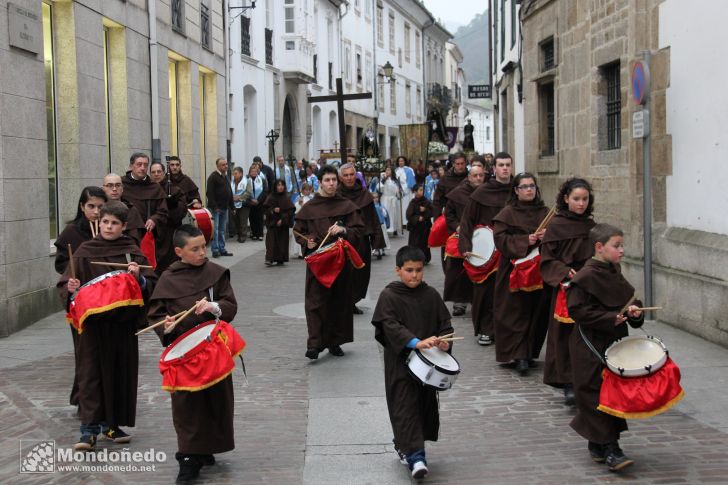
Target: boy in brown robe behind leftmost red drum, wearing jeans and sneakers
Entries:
(108, 353)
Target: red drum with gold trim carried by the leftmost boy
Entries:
(103, 294)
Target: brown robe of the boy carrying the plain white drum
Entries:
(401, 314)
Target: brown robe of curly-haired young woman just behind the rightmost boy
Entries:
(565, 246)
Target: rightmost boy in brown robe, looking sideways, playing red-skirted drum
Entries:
(597, 295)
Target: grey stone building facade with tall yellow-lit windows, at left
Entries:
(83, 85)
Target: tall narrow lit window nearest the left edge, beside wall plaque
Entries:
(49, 66)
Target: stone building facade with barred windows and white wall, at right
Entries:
(577, 60)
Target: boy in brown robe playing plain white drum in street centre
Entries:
(410, 315)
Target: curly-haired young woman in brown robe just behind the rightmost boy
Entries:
(564, 250)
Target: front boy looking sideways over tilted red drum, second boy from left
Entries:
(203, 420)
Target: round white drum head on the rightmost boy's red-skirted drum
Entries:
(636, 355)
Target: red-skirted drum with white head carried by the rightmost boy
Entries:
(640, 380)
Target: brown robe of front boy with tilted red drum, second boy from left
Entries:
(203, 420)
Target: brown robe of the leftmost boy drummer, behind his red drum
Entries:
(108, 351)
